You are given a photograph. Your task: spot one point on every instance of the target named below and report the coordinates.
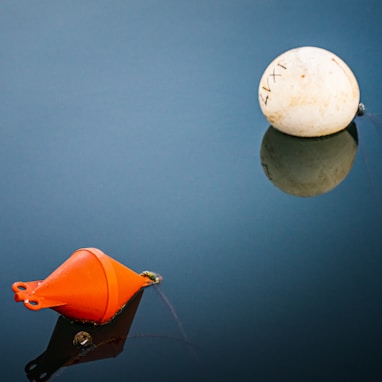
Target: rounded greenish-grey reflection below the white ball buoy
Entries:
(308, 166)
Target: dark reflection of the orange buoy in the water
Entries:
(73, 342)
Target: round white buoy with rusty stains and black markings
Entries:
(309, 92)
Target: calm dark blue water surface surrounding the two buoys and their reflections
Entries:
(134, 127)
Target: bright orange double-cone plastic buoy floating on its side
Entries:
(88, 286)
